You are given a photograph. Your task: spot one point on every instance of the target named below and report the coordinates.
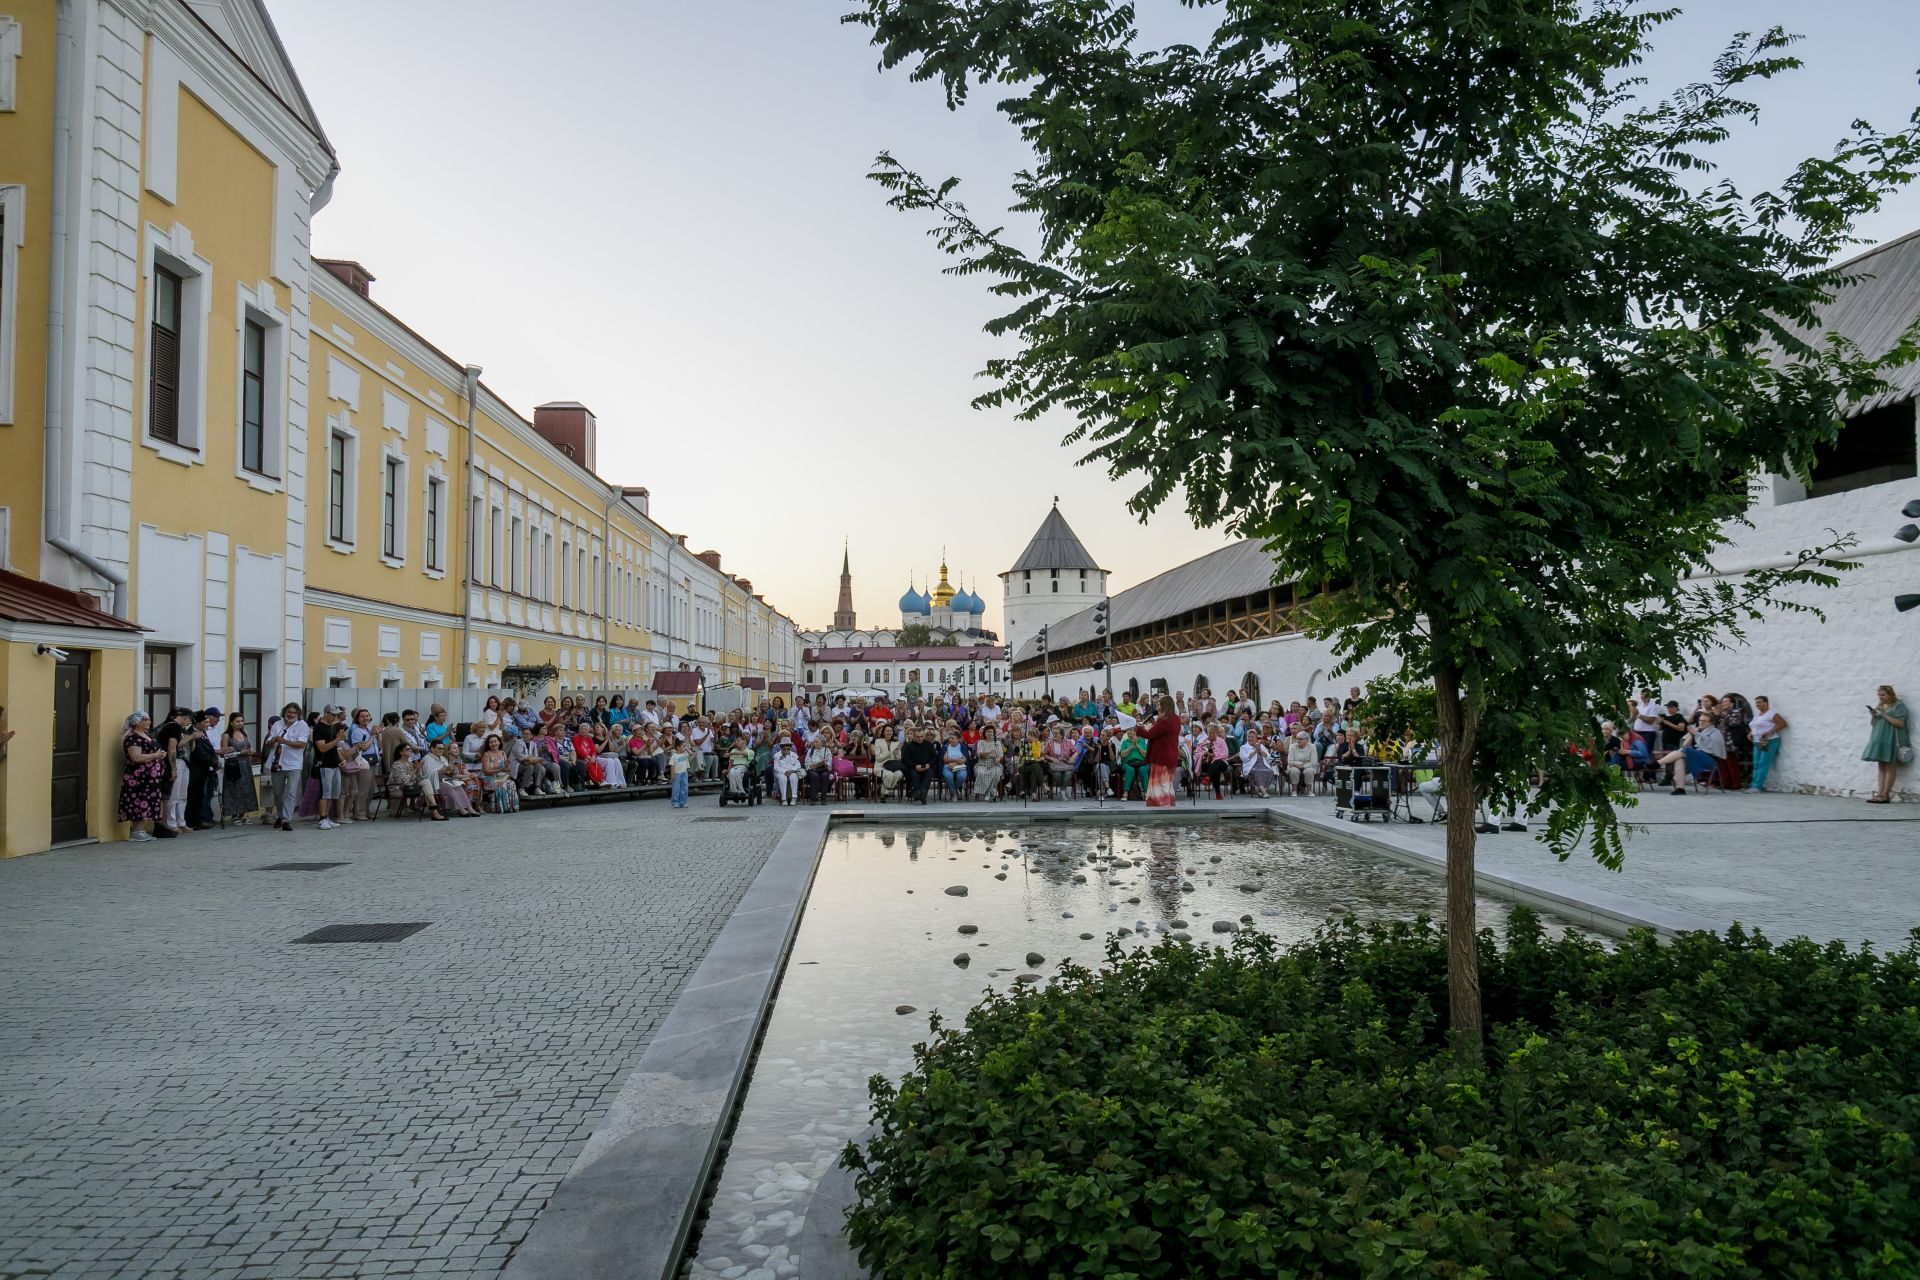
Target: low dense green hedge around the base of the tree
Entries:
(1702, 1108)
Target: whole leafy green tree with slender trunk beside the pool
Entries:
(1437, 302)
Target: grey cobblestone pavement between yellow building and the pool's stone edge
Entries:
(183, 1093)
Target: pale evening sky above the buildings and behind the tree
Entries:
(661, 210)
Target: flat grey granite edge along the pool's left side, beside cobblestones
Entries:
(633, 1197)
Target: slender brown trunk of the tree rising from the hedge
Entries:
(1460, 723)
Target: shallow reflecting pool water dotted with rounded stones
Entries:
(903, 922)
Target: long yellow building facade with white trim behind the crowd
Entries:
(270, 485)
